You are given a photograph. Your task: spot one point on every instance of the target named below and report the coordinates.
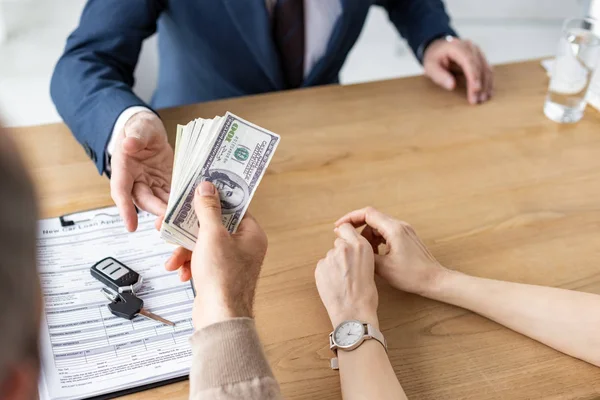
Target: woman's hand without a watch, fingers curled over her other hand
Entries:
(407, 265)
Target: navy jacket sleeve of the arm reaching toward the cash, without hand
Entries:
(93, 79)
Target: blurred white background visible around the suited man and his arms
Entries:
(508, 30)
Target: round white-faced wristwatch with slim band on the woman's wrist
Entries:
(349, 335)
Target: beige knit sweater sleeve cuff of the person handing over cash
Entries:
(229, 364)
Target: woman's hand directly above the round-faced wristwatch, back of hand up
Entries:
(346, 279)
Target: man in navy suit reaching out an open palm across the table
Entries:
(212, 49)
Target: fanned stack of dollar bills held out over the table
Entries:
(228, 151)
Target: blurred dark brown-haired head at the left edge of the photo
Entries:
(20, 296)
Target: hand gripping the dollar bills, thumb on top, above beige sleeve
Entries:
(225, 266)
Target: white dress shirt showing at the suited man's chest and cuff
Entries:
(320, 17)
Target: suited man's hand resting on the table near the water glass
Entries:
(442, 59)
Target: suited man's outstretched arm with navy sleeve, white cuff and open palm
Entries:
(91, 88)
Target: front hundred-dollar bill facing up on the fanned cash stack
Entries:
(235, 163)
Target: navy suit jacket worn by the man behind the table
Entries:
(209, 49)
